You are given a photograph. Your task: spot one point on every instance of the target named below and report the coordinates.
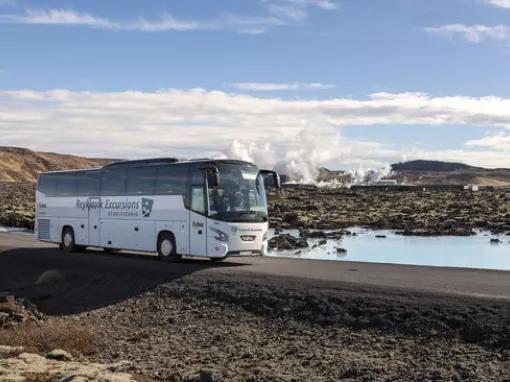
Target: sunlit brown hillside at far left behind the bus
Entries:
(20, 165)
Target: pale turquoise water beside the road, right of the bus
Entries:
(447, 251)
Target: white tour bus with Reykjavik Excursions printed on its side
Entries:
(208, 208)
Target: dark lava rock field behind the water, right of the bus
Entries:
(410, 212)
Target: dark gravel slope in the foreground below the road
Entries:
(235, 331)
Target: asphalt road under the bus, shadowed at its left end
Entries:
(27, 264)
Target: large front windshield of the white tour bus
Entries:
(239, 196)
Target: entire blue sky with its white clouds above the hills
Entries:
(284, 83)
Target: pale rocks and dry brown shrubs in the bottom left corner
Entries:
(24, 332)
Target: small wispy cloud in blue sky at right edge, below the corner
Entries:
(473, 33)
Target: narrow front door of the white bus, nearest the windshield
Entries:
(197, 217)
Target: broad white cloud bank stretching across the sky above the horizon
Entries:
(272, 131)
